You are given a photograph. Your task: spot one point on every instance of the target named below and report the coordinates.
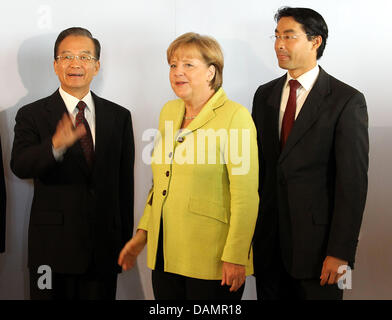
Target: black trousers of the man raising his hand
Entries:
(88, 286)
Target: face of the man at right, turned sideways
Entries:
(297, 55)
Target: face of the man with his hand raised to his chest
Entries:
(75, 75)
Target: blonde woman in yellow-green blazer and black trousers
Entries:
(201, 212)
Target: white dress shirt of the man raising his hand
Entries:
(89, 113)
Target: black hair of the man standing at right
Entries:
(312, 22)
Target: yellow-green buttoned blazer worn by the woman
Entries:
(207, 192)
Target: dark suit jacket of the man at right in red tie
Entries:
(313, 192)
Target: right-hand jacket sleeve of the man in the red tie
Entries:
(351, 156)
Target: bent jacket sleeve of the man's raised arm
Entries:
(31, 156)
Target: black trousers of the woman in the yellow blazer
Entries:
(170, 286)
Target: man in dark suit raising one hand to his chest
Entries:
(79, 150)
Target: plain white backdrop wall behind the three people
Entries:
(134, 36)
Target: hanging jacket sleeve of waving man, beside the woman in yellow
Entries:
(127, 180)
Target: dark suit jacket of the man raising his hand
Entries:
(79, 216)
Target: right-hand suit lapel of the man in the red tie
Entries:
(309, 112)
